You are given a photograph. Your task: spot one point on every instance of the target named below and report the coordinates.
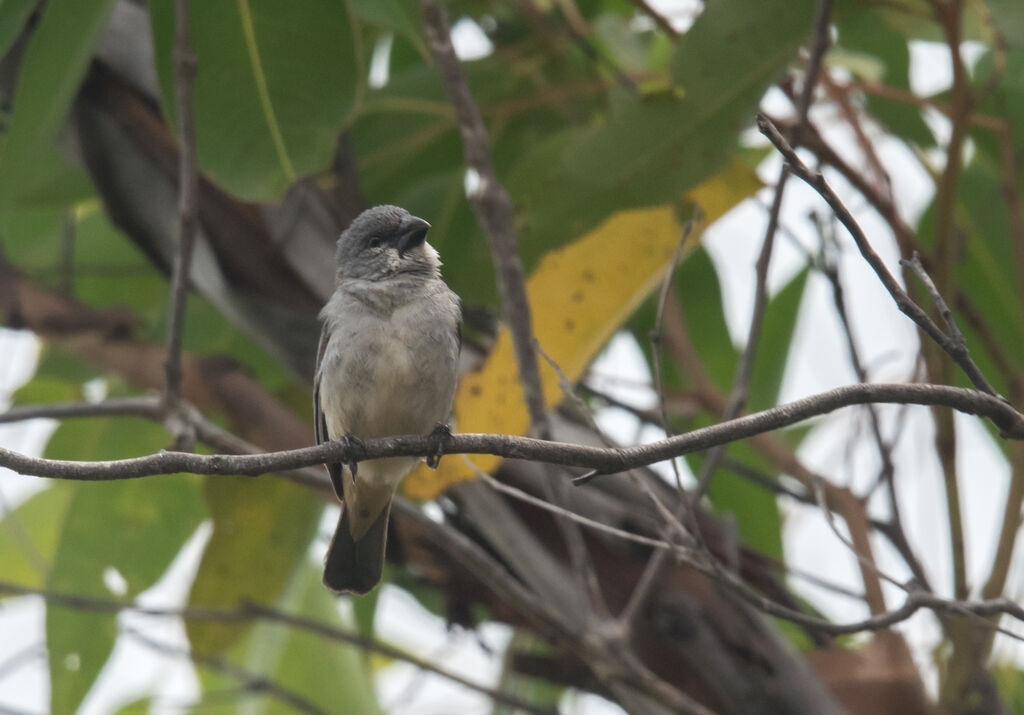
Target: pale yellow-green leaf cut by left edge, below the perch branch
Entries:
(29, 536)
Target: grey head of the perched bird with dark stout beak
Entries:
(386, 242)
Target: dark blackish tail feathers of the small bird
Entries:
(357, 566)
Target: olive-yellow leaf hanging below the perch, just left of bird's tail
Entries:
(262, 532)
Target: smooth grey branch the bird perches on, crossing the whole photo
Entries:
(607, 460)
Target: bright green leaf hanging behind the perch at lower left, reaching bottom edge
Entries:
(136, 527)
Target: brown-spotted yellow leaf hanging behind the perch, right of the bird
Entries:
(581, 295)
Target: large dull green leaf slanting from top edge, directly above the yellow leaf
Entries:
(653, 149)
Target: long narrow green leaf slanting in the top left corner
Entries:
(55, 63)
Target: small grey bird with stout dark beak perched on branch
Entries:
(388, 365)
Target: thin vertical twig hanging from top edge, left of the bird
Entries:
(185, 74)
